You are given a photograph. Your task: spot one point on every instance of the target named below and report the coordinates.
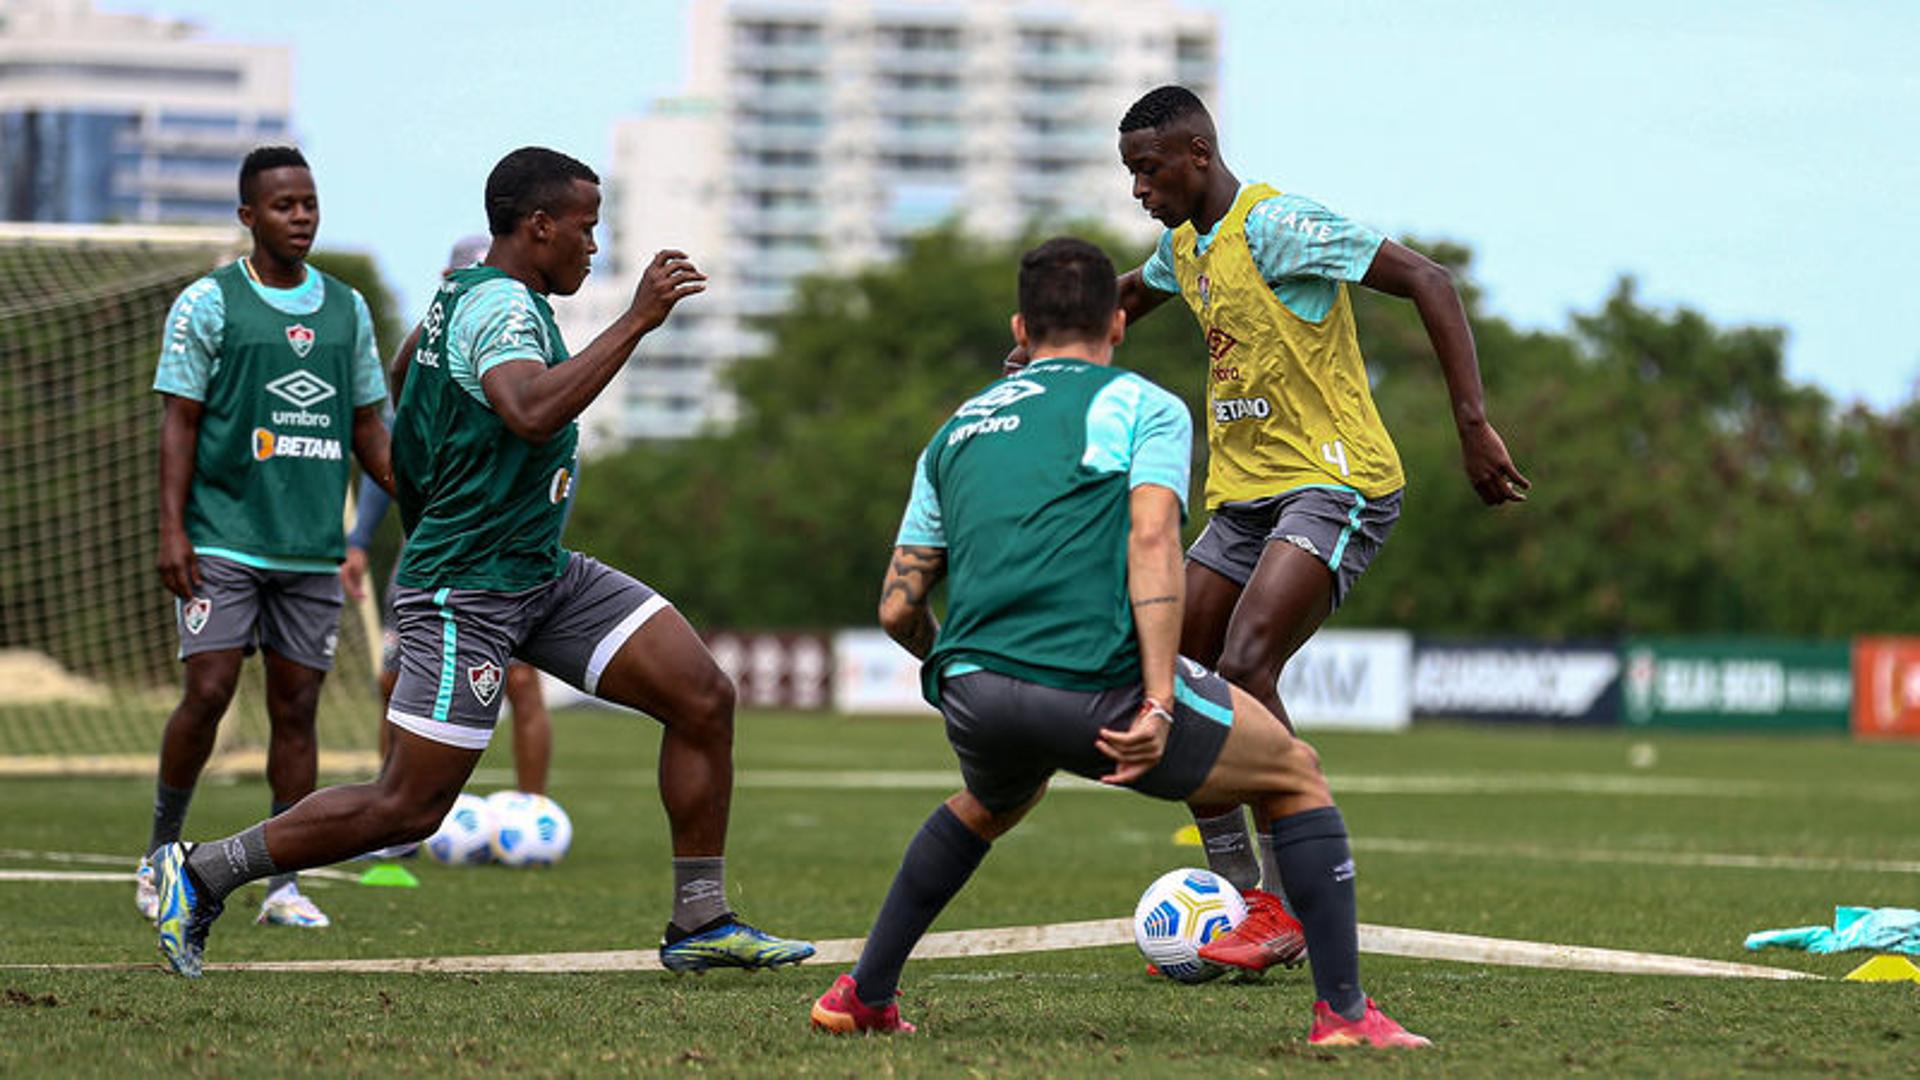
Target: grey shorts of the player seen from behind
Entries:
(1013, 735)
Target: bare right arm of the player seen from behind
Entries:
(1155, 589)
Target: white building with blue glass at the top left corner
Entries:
(128, 118)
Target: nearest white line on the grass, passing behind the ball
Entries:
(1007, 941)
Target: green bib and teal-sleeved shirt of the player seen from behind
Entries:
(1028, 489)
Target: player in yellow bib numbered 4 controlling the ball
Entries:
(1303, 478)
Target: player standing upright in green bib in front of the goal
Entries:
(270, 378)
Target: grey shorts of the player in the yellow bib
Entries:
(1339, 528)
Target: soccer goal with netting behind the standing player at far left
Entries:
(87, 645)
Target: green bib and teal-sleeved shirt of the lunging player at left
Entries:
(483, 506)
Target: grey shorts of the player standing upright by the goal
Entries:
(243, 608)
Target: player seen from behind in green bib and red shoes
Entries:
(1053, 506)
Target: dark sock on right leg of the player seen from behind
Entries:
(1318, 873)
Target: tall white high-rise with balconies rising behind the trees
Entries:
(819, 134)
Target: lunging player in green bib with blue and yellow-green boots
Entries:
(485, 458)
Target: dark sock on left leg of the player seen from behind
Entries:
(938, 862)
